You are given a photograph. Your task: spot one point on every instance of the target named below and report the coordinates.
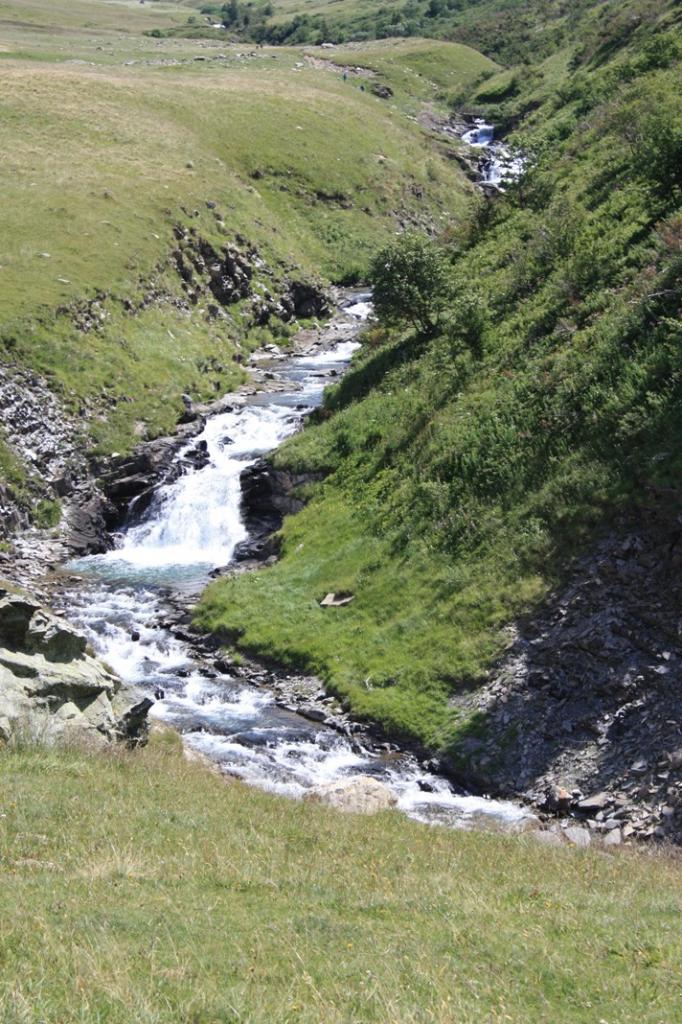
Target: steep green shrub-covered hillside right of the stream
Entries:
(464, 472)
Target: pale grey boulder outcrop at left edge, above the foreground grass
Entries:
(53, 691)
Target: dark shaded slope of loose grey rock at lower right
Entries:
(584, 716)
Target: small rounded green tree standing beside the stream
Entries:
(411, 282)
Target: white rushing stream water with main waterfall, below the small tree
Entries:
(193, 526)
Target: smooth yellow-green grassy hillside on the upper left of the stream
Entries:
(115, 139)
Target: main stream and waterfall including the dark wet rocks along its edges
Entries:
(209, 506)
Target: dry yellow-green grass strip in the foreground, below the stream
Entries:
(140, 888)
